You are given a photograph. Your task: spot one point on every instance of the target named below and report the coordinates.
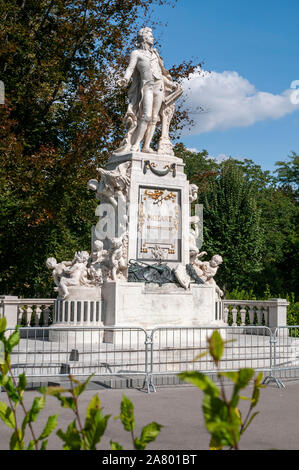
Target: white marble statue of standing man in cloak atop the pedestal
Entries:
(151, 97)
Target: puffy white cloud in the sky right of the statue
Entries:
(229, 100)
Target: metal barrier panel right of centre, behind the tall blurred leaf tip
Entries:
(174, 349)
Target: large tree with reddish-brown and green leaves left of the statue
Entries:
(62, 118)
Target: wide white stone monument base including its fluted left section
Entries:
(132, 305)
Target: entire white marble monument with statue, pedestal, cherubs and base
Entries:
(144, 268)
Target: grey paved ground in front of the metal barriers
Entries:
(178, 408)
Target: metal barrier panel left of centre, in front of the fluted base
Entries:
(58, 352)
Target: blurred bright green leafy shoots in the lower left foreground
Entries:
(78, 435)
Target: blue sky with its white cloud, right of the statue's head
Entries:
(252, 50)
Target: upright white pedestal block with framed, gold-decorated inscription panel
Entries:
(157, 207)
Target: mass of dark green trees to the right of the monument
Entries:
(251, 219)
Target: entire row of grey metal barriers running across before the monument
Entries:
(135, 352)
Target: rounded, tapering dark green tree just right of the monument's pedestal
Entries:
(232, 226)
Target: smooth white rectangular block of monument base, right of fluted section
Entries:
(150, 306)
